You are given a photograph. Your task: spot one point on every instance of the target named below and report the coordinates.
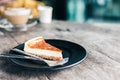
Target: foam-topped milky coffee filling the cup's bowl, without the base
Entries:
(18, 16)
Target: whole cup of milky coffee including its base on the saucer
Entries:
(18, 17)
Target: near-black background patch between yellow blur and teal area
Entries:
(60, 6)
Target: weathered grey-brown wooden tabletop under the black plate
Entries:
(102, 42)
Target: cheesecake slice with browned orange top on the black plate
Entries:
(39, 48)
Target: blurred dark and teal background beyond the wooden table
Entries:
(85, 10)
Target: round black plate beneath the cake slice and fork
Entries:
(75, 52)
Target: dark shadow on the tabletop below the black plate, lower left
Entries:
(12, 69)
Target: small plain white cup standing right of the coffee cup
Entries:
(45, 14)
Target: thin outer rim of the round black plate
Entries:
(54, 68)
